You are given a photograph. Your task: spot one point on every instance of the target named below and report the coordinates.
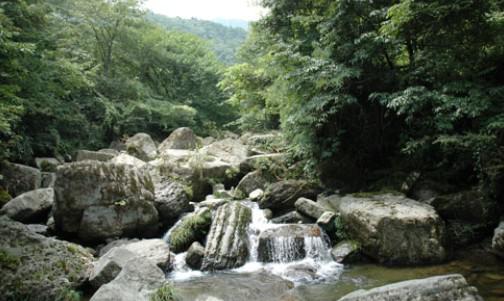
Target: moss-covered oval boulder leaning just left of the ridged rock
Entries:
(192, 227)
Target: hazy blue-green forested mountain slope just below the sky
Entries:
(225, 40)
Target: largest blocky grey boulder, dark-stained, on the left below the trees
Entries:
(97, 200)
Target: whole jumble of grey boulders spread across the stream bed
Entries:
(138, 189)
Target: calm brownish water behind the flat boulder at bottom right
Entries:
(480, 268)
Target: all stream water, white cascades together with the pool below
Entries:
(317, 277)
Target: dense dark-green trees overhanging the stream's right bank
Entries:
(359, 85)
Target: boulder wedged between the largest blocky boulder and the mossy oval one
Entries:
(171, 201)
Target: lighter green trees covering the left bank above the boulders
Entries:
(79, 74)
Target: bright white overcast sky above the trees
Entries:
(207, 9)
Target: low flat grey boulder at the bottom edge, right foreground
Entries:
(440, 288)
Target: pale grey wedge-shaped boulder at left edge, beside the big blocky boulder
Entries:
(30, 207)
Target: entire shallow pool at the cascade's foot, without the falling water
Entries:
(480, 268)
